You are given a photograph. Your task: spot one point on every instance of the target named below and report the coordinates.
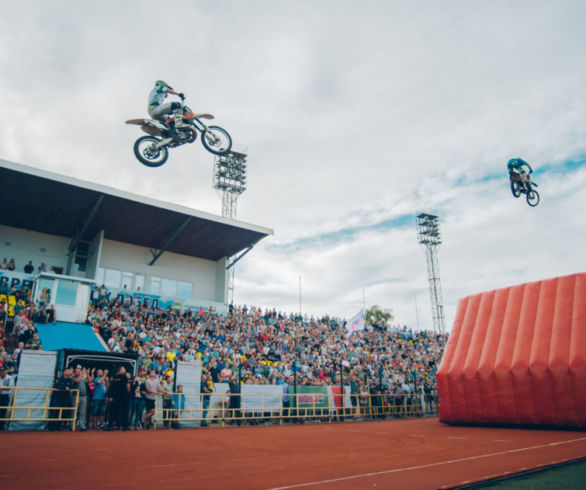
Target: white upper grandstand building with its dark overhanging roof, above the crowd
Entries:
(86, 233)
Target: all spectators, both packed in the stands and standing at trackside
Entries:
(246, 345)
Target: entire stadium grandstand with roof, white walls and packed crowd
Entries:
(104, 279)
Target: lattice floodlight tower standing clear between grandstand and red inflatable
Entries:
(428, 235)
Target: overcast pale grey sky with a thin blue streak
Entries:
(355, 117)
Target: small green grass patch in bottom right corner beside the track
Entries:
(569, 477)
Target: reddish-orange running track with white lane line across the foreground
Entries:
(405, 454)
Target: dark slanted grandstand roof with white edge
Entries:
(56, 204)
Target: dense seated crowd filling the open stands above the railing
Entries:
(270, 347)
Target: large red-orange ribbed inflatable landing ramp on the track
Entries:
(518, 356)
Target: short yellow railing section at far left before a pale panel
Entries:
(38, 405)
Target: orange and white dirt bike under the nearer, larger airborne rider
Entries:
(153, 150)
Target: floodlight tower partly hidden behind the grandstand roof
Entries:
(230, 180)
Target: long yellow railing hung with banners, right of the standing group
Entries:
(253, 409)
